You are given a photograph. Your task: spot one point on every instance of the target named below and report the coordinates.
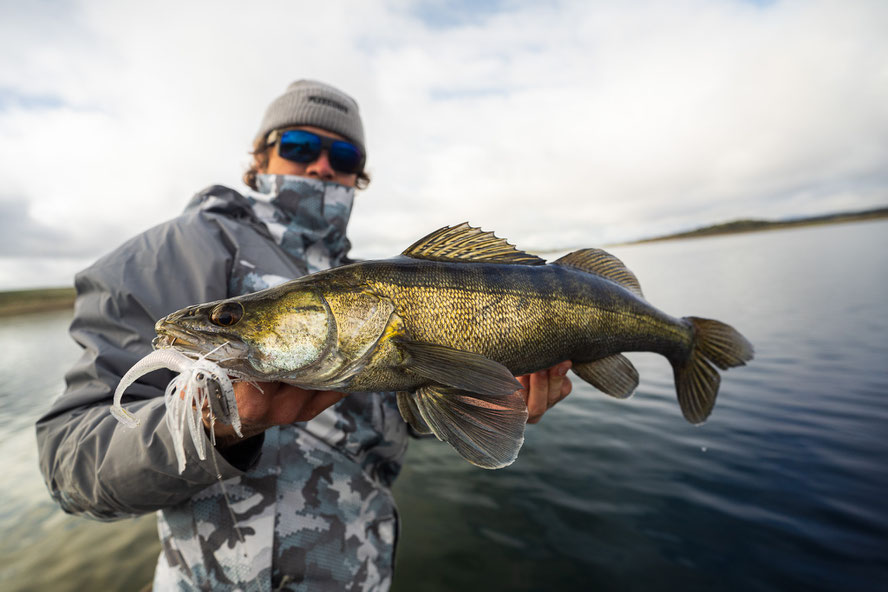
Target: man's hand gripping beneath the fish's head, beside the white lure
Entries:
(276, 404)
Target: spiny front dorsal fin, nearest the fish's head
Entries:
(463, 243)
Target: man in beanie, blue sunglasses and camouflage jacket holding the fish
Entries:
(309, 484)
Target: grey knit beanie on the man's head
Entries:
(308, 102)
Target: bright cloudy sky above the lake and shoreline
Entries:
(555, 124)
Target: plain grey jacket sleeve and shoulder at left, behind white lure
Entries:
(92, 464)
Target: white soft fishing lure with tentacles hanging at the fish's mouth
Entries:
(185, 397)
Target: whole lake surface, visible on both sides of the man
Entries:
(784, 488)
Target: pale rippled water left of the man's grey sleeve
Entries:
(42, 548)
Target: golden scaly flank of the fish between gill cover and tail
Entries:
(525, 317)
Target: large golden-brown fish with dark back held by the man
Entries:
(448, 324)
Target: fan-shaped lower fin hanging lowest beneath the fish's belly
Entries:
(487, 431)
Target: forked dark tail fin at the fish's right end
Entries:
(695, 379)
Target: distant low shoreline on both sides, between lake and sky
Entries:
(19, 302)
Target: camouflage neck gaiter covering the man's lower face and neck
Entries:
(306, 217)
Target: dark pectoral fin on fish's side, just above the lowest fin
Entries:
(459, 369)
